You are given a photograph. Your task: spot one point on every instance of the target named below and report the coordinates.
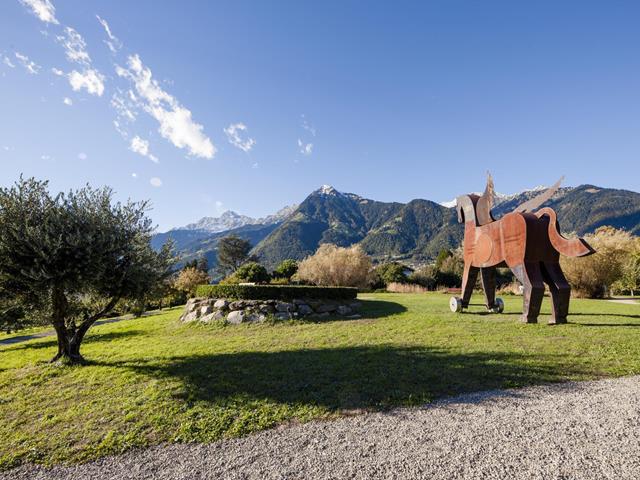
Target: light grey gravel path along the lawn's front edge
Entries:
(587, 430)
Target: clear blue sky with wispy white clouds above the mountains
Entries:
(250, 106)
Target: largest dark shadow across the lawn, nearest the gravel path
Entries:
(351, 378)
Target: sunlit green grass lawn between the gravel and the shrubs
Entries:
(153, 380)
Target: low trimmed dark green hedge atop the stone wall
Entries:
(276, 292)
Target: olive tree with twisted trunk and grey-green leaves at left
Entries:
(71, 257)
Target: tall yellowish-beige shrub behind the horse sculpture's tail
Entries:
(593, 276)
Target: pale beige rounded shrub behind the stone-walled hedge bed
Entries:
(337, 266)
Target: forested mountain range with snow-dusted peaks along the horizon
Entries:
(413, 232)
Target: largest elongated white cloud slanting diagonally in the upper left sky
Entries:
(175, 122)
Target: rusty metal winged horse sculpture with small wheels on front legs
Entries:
(527, 242)
